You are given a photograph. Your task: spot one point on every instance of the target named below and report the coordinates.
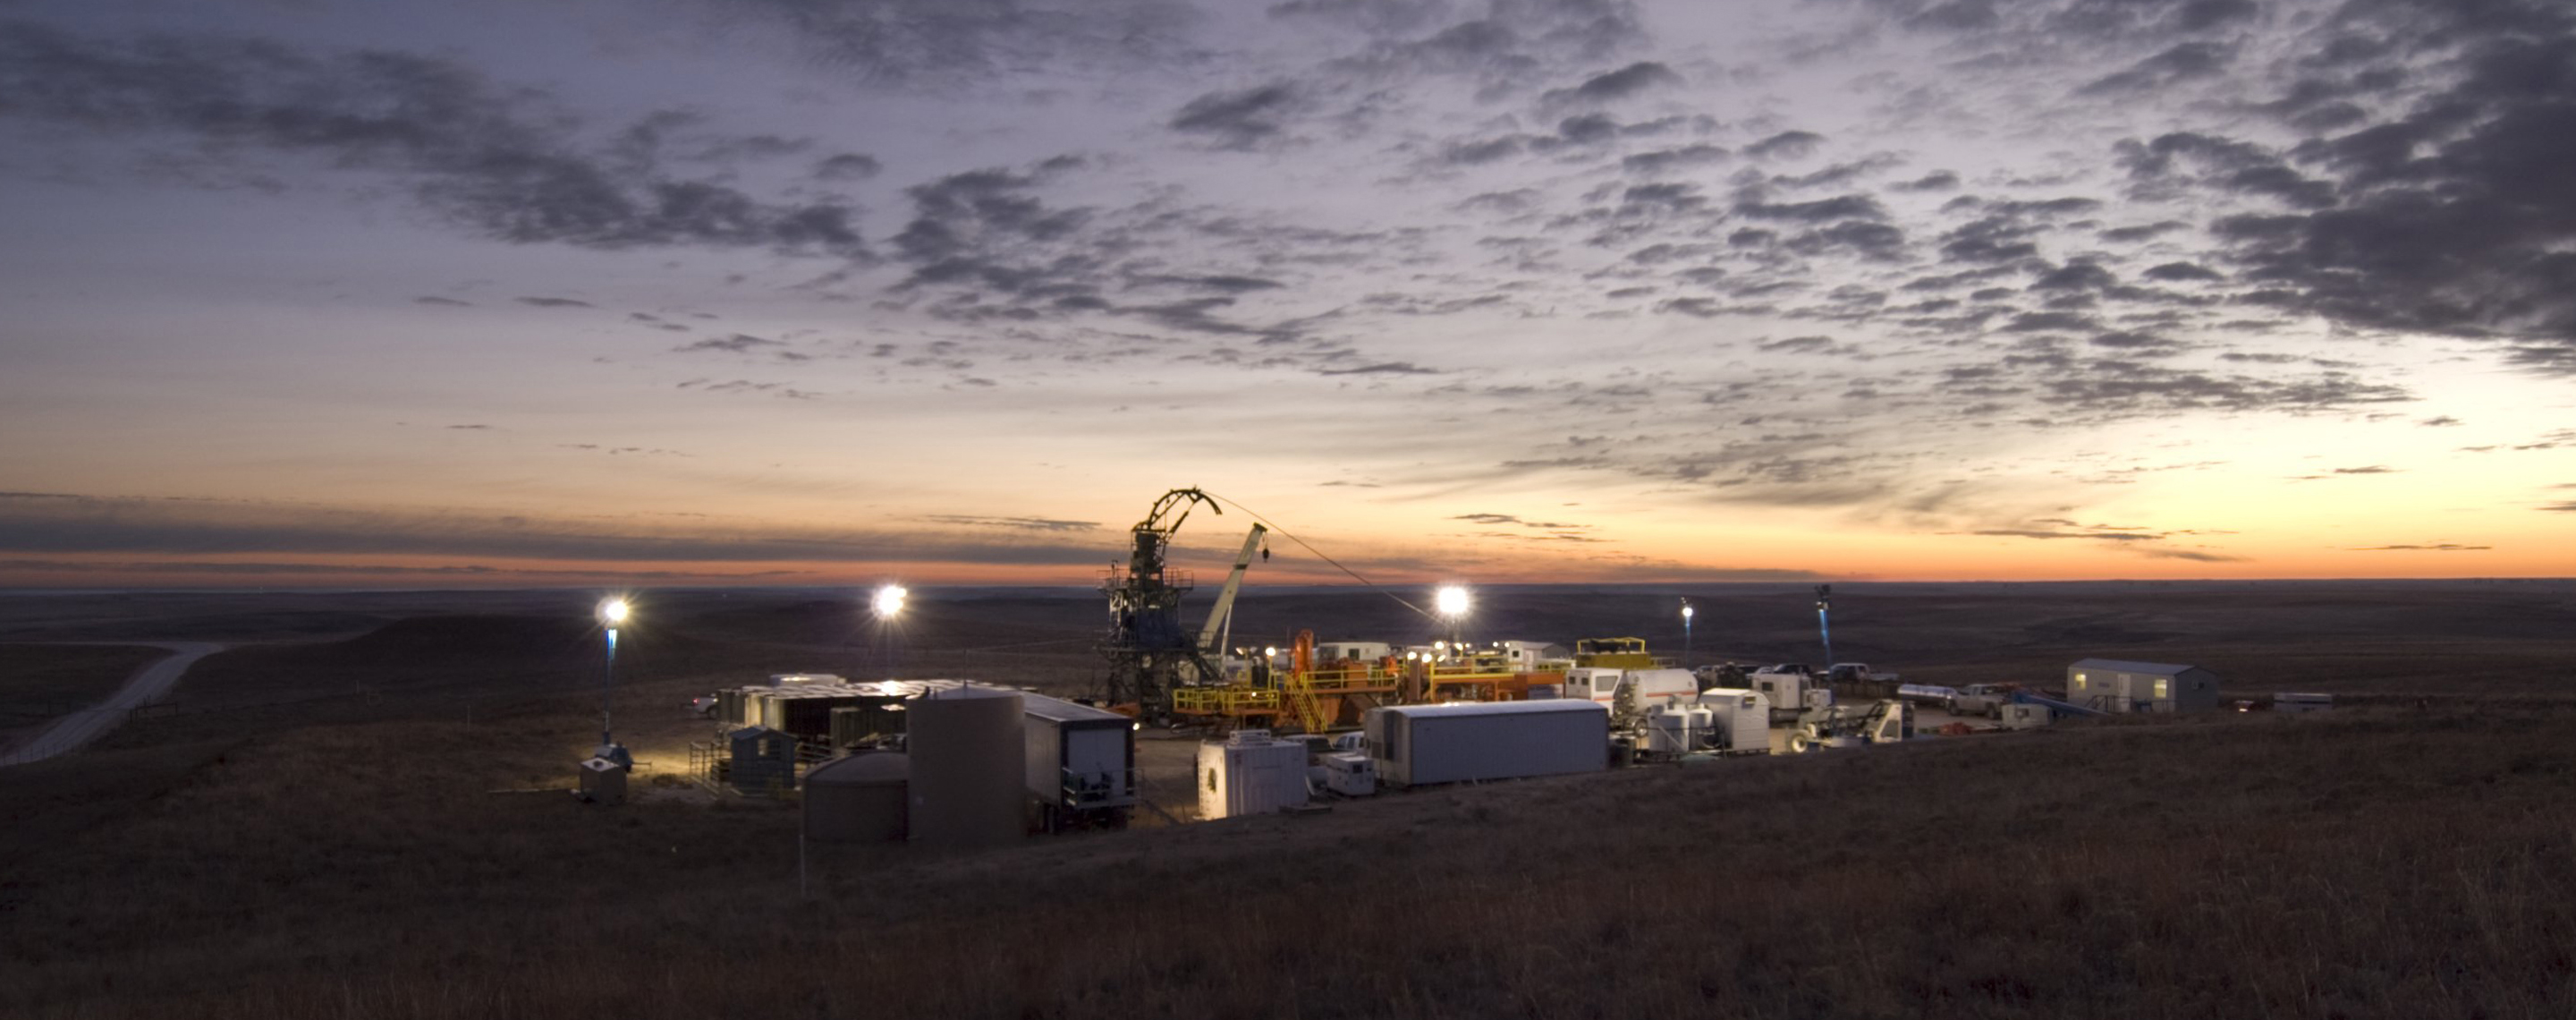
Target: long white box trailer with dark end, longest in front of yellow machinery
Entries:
(1418, 746)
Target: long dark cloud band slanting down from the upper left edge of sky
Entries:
(488, 158)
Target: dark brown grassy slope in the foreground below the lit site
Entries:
(2353, 864)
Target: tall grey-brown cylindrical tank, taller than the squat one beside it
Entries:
(967, 769)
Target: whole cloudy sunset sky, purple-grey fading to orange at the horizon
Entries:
(831, 292)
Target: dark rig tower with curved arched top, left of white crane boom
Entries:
(1148, 645)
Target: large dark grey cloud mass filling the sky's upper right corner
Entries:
(2454, 212)
